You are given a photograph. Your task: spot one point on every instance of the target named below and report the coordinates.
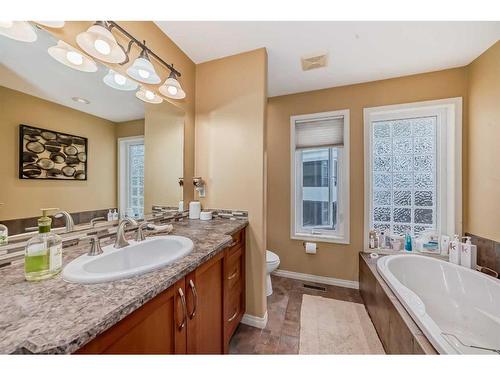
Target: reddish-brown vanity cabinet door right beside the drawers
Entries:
(204, 293)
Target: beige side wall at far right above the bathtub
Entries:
(483, 136)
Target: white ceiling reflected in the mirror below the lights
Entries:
(27, 67)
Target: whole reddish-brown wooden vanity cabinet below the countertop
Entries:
(197, 315)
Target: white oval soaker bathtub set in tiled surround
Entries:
(444, 298)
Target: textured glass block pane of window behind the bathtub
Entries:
(403, 167)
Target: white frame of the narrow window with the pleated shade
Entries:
(341, 236)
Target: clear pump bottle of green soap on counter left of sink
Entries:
(43, 253)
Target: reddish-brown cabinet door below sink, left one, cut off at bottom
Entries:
(155, 328)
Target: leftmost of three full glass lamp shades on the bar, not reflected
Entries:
(98, 42)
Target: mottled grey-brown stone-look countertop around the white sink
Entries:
(54, 316)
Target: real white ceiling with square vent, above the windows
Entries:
(357, 51)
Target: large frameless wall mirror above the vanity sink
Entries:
(76, 141)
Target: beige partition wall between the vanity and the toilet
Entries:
(230, 131)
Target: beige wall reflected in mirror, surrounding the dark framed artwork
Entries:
(24, 198)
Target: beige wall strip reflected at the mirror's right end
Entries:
(163, 164)
